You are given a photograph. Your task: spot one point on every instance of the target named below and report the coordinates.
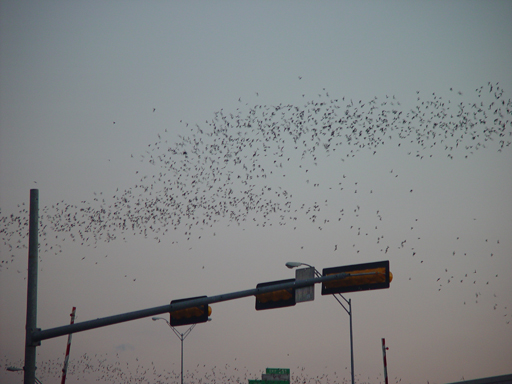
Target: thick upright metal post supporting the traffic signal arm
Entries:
(31, 321)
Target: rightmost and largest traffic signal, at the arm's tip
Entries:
(360, 277)
